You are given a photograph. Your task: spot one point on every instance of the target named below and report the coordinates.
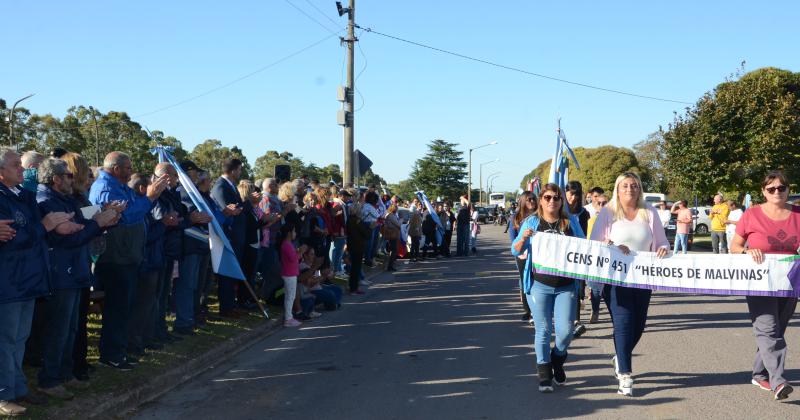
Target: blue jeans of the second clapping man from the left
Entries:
(61, 313)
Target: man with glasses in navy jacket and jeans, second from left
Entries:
(70, 272)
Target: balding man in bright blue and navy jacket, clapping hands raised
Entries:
(117, 268)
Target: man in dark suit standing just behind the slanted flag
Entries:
(227, 197)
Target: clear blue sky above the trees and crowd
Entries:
(145, 55)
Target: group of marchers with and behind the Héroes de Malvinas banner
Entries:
(627, 222)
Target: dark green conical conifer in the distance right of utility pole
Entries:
(441, 172)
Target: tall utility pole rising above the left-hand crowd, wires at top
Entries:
(346, 116)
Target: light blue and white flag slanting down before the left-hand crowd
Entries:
(223, 259)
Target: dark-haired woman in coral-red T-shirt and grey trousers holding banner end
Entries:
(770, 228)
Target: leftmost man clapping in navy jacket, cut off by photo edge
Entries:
(23, 274)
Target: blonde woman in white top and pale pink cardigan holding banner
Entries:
(630, 224)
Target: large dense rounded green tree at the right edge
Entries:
(736, 133)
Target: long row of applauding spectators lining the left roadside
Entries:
(137, 244)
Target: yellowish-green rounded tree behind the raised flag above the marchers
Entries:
(600, 167)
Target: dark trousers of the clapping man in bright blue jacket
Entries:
(119, 283)
